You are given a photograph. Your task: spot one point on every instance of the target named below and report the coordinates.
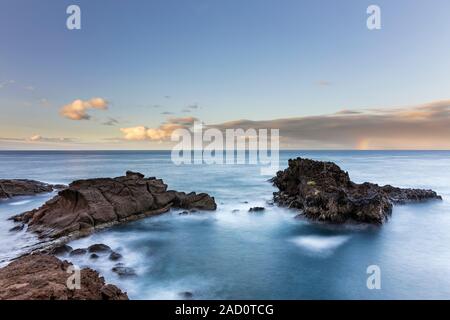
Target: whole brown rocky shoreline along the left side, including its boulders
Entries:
(79, 210)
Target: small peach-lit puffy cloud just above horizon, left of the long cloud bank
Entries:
(163, 132)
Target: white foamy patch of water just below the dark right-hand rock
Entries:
(320, 244)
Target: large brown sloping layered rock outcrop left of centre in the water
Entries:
(86, 205)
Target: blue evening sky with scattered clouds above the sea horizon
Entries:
(137, 70)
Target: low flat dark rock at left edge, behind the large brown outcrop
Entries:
(21, 187)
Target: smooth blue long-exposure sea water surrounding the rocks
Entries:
(231, 254)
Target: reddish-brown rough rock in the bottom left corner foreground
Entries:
(45, 277)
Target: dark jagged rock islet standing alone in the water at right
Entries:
(325, 192)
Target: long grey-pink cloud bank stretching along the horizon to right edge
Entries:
(424, 126)
